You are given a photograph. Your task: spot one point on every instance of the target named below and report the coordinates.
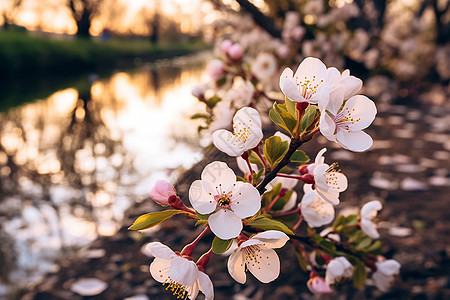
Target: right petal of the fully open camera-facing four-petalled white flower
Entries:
(246, 200)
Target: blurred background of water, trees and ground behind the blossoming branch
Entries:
(96, 105)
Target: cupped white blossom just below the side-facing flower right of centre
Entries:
(315, 210)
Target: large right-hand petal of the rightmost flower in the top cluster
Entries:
(360, 111)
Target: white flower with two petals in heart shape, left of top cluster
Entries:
(247, 133)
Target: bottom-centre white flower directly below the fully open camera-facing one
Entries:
(258, 255)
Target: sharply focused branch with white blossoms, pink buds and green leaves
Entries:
(252, 215)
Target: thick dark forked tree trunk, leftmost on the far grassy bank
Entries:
(83, 11)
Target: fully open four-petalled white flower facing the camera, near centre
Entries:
(228, 201)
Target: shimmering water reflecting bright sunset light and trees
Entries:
(71, 164)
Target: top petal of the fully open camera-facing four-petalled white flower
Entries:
(218, 175)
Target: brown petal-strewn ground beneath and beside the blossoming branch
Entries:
(407, 168)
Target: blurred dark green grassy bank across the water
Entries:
(25, 54)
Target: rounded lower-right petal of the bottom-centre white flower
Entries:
(264, 264)
